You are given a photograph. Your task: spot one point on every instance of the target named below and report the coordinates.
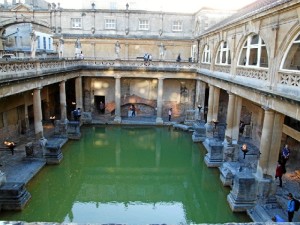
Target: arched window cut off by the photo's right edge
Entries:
(291, 60)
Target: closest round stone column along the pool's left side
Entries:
(37, 111)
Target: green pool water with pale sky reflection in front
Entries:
(129, 175)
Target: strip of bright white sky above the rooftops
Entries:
(189, 6)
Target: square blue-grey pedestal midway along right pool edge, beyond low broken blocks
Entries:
(214, 156)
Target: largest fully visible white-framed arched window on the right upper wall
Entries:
(254, 52)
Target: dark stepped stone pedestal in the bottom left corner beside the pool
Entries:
(13, 196)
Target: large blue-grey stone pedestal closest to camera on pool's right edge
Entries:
(243, 194)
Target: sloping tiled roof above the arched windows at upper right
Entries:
(248, 11)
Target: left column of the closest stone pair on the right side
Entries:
(265, 143)
